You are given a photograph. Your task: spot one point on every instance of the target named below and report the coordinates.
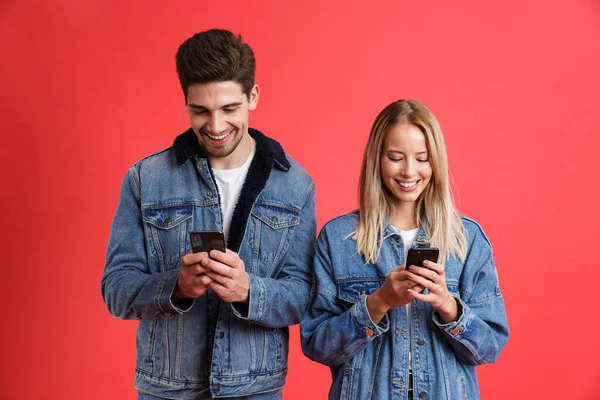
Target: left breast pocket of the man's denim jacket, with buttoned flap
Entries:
(167, 230)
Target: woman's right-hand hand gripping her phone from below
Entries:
(433, 277)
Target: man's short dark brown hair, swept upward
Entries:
(215, 55)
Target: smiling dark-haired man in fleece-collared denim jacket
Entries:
(213, 325)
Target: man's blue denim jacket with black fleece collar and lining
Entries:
(208, 347)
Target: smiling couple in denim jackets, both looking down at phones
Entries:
(216, 325)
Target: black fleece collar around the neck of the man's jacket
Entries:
(186, 146)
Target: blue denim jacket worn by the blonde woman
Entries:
(371, 361)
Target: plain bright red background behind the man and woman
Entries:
(88, 88)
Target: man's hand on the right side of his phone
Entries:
(228, 274)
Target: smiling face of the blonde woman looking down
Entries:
(405, 167)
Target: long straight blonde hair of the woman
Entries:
(443, 225)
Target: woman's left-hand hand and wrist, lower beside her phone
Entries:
(393, 293)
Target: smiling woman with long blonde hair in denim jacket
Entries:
(387, 331)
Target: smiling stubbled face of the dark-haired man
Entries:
(219, 117)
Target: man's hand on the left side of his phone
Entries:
(192, 281)
